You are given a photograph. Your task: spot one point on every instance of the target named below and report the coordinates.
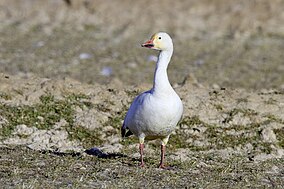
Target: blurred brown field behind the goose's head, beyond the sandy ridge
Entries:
(228, 43)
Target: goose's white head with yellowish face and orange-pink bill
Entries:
(159, 41)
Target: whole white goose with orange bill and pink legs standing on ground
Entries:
(154, 114)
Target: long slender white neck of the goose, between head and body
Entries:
(161, 81)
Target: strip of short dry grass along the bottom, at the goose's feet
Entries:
(29, 169)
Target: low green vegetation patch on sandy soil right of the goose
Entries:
(218, 137)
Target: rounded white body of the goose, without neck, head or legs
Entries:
(152, 117)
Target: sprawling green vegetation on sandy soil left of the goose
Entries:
(49, 110)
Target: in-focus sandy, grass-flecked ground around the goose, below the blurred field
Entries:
(223, 124)
